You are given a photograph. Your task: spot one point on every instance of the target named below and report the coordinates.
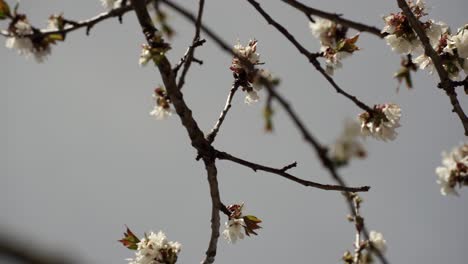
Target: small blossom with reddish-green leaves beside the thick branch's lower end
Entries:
(238, 223)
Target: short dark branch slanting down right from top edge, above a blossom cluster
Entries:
(309, 11)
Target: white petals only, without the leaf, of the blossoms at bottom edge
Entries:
(151, 248)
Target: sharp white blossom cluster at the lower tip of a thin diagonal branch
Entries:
(382, 123)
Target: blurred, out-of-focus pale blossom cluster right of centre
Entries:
(348, 145)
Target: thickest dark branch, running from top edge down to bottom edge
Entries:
(185, 114)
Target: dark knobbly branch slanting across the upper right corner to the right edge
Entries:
(445, 82)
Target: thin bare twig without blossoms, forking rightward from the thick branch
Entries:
(256, 167)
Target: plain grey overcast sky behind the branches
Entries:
(82, 158)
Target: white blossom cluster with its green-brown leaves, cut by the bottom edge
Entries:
(154, 248)
